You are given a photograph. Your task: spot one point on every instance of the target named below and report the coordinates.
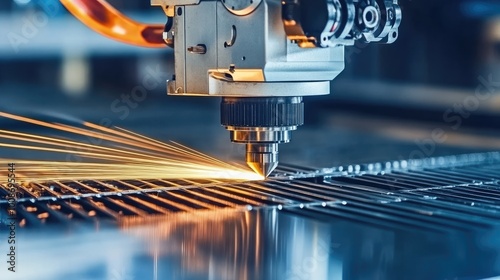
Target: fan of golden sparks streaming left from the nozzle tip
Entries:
(112, 154)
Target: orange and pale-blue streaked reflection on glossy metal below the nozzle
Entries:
(239, 245)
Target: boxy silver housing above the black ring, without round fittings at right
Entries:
(249, 48)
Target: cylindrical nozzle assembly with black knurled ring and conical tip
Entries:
(262, 124)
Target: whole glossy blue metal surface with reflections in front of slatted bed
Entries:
(264, 244)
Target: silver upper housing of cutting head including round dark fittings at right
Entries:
(252, 42)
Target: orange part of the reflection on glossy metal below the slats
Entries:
(195, 238)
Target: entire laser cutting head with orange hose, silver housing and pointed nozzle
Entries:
(260, 56)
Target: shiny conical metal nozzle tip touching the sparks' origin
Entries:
(262, 158)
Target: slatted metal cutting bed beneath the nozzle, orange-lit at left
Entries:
(455, 192)
